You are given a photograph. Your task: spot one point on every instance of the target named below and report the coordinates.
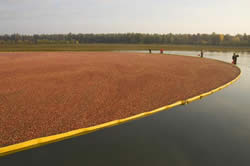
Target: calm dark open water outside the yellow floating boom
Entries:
(213, 131)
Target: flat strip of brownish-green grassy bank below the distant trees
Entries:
(113, 47)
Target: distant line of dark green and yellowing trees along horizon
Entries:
(129, 38)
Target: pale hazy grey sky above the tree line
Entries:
(120, 16)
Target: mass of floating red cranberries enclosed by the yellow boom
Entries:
(48, 93)
